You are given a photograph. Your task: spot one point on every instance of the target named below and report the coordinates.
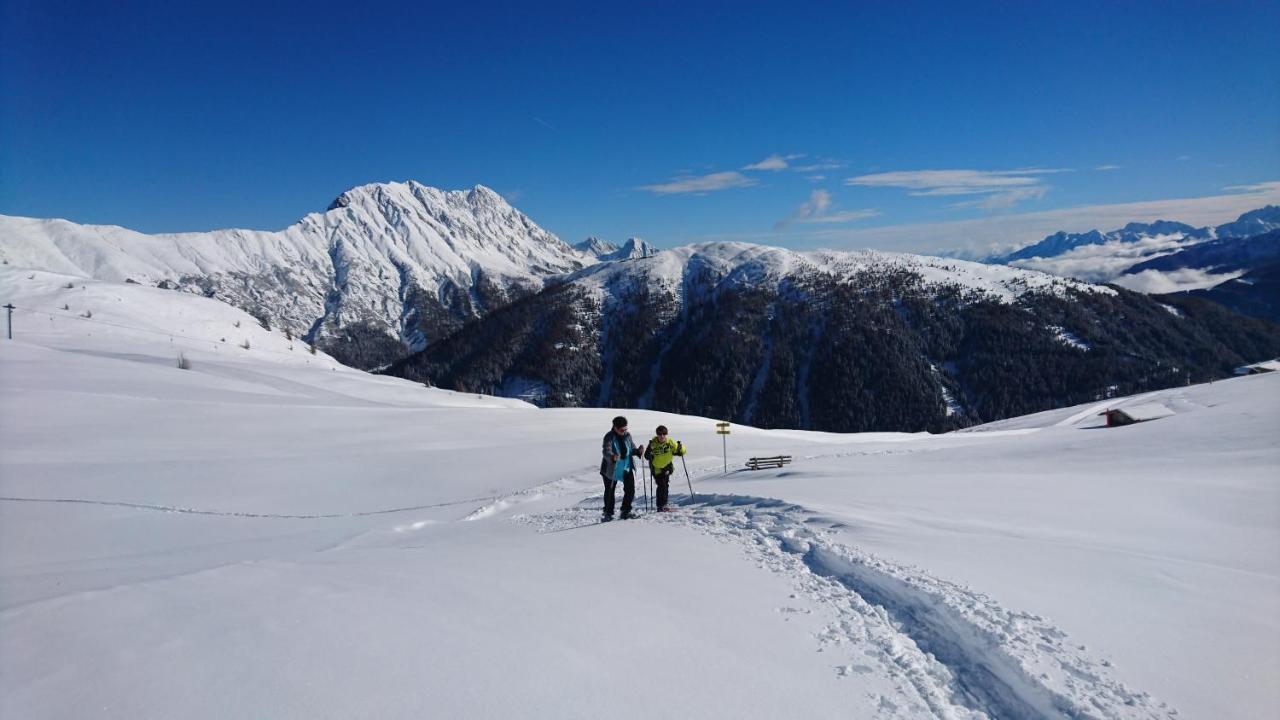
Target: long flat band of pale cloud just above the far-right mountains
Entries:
(1002, 234)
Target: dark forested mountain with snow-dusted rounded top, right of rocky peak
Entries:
(835, 341)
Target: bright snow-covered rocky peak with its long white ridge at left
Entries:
(401, 261)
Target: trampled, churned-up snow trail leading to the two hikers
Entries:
(952, 651)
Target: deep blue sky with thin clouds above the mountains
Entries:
(925, 127)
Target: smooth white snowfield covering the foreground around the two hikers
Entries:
(271, 535)
